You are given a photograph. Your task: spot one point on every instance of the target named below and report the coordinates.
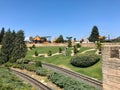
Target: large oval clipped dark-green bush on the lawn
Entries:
(84, 60)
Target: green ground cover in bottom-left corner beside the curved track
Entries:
(9, 81)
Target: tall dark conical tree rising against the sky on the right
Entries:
(94, 34)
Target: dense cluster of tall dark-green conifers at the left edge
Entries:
(13, 46)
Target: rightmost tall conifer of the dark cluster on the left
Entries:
(20, 49)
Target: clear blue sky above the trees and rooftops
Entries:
(74, 18)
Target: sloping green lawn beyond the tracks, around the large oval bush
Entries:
(93, 71)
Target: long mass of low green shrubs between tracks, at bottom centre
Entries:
(68, 83)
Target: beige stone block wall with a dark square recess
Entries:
(111, 67)
